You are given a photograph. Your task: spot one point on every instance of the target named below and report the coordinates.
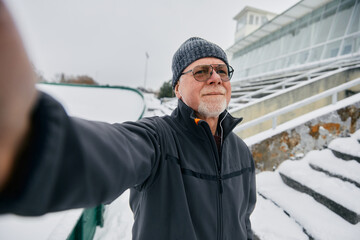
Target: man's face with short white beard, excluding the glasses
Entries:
(207, 99)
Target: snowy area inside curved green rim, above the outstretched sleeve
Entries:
(99, 104)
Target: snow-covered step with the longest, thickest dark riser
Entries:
(339, 196)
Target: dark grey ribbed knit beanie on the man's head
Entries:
(191, 50)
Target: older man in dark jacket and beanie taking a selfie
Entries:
(190, 176)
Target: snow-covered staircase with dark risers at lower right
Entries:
(316, 197)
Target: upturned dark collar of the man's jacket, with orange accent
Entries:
(186, 117)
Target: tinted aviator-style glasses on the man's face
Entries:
(203, 73)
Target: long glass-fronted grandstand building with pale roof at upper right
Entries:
(311, 33)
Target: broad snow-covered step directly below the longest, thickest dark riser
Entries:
(315, 218)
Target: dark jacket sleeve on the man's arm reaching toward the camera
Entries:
(72, 163)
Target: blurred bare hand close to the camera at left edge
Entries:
(17, 94)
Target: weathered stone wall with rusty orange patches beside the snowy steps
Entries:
(313, 135)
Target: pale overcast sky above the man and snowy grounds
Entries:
(108, 39)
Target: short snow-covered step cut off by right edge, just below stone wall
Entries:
(346, 148)
